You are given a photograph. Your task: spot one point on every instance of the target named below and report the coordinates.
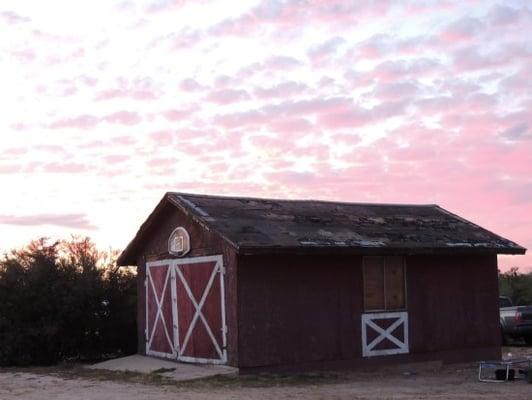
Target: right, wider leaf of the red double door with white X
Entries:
(201, 329)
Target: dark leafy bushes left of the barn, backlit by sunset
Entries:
(64, 300)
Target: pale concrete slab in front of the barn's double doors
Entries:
(170, 369)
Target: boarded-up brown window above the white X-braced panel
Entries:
(384, 283)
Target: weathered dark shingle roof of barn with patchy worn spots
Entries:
(253, 225)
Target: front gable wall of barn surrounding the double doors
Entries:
(203, 243)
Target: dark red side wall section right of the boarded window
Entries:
(458, 298)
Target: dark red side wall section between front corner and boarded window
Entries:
(298, 309)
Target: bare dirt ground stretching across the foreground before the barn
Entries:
(428, 381)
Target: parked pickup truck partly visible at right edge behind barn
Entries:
(516, 321)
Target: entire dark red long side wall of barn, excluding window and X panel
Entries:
(305, 311)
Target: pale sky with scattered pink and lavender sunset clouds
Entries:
(107, 105)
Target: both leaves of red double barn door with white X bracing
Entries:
(185, 310)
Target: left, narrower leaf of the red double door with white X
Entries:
(160, 332)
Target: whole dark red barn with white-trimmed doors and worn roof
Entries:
(264, 284)
